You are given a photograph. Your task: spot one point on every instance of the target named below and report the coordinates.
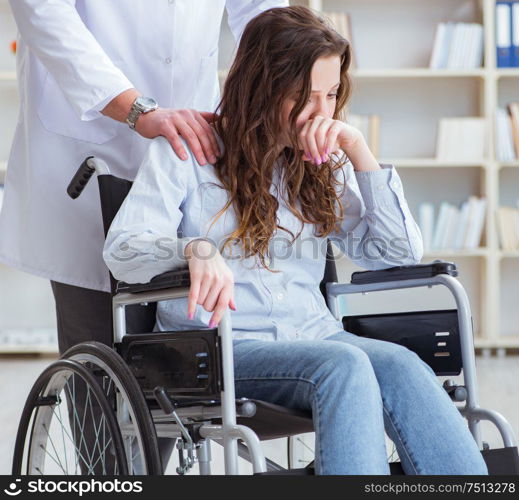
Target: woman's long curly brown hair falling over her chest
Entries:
(277, 51)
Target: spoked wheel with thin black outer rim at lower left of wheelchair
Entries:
(47, 443)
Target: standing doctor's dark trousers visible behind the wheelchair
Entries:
(83, 314)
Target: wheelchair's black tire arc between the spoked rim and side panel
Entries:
(125, 395)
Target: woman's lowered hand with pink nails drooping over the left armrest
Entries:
(212, 282)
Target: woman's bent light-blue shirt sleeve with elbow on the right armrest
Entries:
(378, 230)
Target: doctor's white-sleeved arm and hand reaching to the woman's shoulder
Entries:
(93, 85)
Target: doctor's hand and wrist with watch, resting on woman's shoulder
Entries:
(193, 126)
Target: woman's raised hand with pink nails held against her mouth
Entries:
(321, 136)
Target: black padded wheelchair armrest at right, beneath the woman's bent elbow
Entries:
(400, 273)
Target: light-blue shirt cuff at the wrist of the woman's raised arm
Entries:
(375, 186)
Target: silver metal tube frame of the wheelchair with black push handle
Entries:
(168, 421)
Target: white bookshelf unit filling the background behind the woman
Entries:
(392, 80)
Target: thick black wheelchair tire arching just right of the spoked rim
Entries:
(108, 360)
